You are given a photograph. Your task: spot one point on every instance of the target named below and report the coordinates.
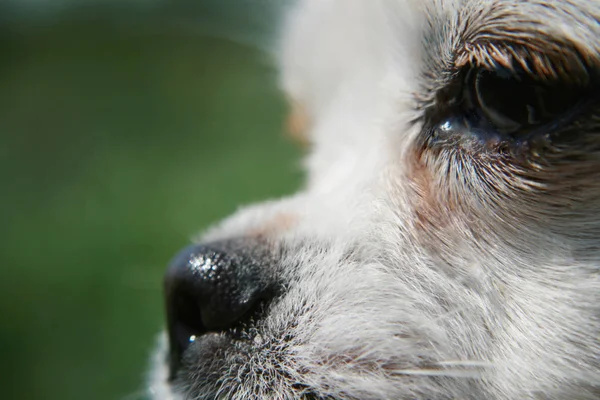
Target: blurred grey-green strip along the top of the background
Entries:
(247, 21)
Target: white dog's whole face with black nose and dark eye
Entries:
(447, 243)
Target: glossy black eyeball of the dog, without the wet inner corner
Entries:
(514, 102)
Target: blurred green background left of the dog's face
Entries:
(125, 128)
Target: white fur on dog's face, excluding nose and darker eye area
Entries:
(372, 312)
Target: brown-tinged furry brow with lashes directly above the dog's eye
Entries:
(549, 37)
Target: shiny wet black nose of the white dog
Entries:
(212, 288)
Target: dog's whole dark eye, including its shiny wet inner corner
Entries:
(504, 104)
